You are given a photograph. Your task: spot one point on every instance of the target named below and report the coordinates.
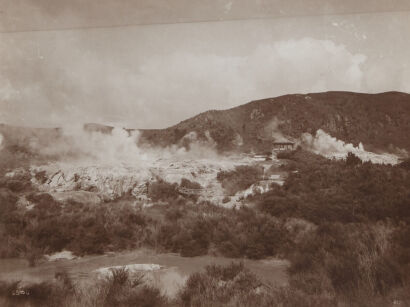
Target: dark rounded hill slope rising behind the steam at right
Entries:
(379, 121)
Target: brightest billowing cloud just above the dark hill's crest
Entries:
(306, 65)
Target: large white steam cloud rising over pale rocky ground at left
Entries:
(119, 146)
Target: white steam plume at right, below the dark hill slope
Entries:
(324, 144)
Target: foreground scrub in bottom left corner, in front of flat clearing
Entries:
(117, 289)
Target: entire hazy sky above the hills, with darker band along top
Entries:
(72, 61)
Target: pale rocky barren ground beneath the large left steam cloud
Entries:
(82, 182)
